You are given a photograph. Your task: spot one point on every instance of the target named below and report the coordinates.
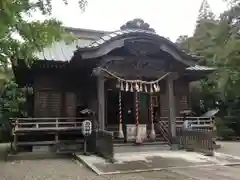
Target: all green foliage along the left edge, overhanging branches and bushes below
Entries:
(20, 38)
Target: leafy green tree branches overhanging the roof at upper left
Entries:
(32, 35)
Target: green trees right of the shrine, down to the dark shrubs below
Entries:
(216, 40)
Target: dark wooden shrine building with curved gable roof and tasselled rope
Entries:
(131, 78)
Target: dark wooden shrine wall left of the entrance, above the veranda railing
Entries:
(58, 94)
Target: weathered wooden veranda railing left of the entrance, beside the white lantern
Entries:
(56, 133)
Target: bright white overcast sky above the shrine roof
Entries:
(170, 18)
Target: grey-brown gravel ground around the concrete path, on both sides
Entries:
(67, 168)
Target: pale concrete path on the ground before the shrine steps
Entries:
(155, 161)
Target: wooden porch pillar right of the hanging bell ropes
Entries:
(172, 106)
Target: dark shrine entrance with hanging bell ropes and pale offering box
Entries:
(128, 108)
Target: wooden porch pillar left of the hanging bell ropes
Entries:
(101, 101)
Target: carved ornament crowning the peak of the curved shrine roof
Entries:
(137, 24)
